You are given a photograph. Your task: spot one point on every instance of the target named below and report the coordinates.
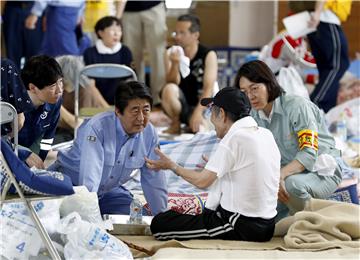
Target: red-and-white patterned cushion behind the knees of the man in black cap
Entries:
(184, 203)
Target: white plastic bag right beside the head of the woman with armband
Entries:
(290, 80)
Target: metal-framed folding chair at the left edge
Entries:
(9, 114)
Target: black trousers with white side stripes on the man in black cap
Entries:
(218, 224)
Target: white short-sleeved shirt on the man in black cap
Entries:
(247, 164)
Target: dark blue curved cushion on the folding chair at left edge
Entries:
(38, 182)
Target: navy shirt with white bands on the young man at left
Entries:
(39, 129)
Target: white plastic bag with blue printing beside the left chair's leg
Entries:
(89, 241)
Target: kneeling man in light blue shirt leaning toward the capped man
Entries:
(110, 146)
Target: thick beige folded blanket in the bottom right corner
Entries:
(325, 224)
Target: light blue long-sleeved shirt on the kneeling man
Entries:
(103, 157)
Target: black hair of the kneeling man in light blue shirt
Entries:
(129, 90)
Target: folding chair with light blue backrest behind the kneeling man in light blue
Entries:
(101, 70)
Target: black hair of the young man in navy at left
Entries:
(42, 71)
